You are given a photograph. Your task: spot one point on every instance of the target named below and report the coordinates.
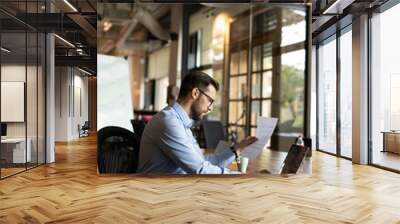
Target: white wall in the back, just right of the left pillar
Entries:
(71, 93)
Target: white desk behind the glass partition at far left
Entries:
(13, 150)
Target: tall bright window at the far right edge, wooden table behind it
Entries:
(385, 88)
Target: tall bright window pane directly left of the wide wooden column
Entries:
(346, 94)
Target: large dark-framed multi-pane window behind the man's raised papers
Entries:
(268, 79)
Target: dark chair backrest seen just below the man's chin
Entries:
(213, 133)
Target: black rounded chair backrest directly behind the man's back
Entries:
(117, 150)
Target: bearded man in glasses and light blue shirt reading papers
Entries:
(168, 145)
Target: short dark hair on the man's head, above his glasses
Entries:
(196, 79)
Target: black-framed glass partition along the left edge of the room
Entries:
(22, 89)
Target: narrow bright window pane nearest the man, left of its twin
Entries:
(327, 96)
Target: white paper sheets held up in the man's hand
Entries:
(265, 128)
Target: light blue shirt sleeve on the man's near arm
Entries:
(175, 144)
